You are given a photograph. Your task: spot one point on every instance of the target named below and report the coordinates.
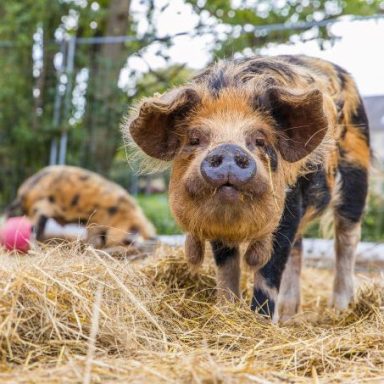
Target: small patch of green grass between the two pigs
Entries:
(156, 208)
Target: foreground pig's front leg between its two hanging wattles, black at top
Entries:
(227, 260)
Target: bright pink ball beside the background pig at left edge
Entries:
(16, 233)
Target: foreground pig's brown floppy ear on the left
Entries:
(153, 129)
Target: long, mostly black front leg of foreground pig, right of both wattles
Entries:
(268, 278)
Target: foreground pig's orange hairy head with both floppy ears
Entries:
(231, 153)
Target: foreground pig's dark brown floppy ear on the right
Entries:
(300, 118)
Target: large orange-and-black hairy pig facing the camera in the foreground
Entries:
(259, 147)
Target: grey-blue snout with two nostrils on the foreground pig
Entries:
(228, 164)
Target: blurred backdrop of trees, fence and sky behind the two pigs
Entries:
(71, 69)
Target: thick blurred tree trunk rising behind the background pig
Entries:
(103, 107)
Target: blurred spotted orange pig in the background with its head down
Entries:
(74, 195)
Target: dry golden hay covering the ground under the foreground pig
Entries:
(155, 322)
